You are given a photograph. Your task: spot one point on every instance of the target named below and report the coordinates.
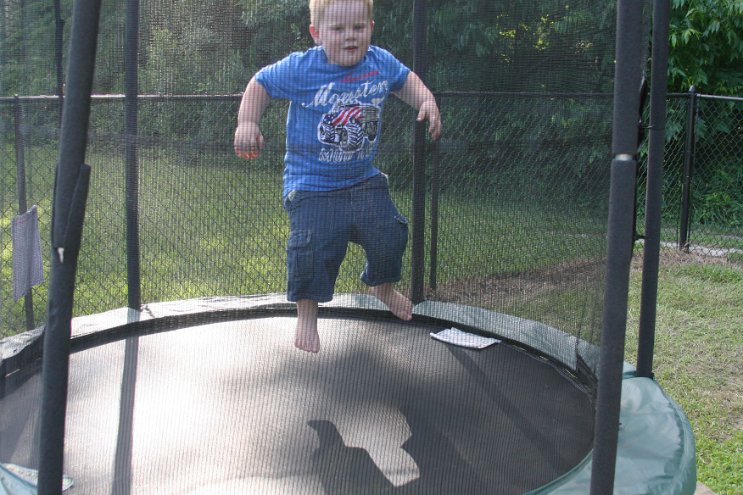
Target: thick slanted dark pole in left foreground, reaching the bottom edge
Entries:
(70, 194)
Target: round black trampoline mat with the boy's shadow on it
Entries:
(233, 407)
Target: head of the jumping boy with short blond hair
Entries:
(344, 32)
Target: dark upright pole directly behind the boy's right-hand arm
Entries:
(419, 166)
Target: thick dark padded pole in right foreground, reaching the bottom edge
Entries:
(628, 75)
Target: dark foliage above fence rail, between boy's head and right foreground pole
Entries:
(481, 45)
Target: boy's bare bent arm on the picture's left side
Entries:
(248, 137)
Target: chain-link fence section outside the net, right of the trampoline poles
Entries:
(703, 175)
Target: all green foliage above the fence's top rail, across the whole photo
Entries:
(214, 46)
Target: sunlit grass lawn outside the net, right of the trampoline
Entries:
(699, 356)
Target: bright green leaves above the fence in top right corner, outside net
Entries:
(706, 46)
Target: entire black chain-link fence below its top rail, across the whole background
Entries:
(537, 156)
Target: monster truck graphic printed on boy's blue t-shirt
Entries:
(346, 126)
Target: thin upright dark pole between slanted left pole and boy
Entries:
(131, 89)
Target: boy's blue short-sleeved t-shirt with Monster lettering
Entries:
(335, 115)
